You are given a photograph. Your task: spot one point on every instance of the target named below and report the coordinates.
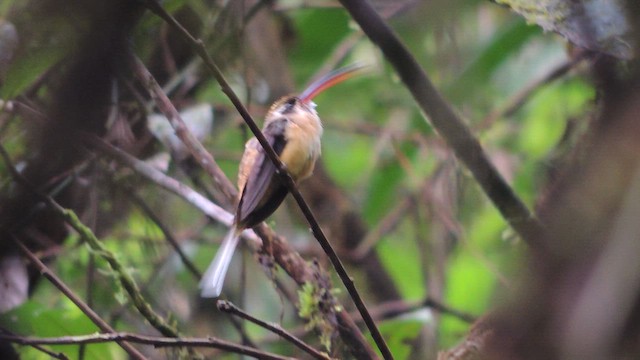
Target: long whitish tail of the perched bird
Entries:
(213, 278)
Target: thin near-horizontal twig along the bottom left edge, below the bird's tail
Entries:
(157, 341)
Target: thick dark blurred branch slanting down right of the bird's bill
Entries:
(443, 118)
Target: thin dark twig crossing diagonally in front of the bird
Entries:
(282, 171)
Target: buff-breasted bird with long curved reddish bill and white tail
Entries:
(293, 129)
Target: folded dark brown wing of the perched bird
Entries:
(262, 192)
